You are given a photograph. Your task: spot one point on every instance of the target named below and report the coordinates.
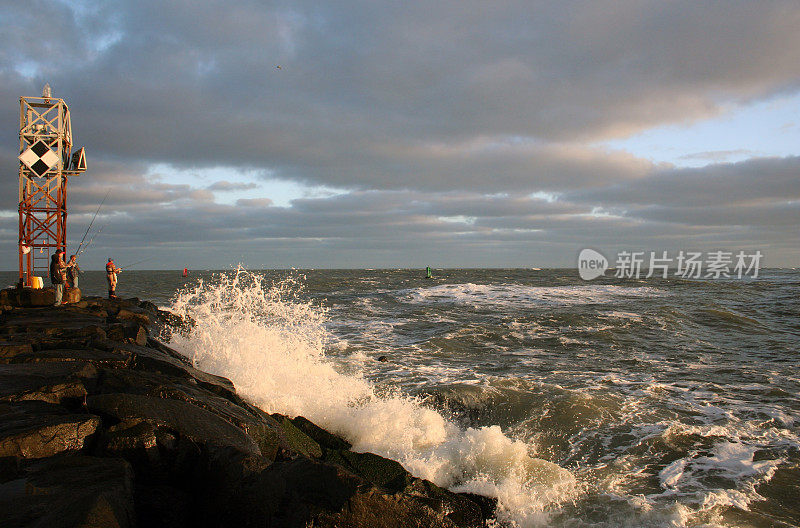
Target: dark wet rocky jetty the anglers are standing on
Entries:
(101, 424)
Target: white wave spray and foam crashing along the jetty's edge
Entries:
(271, 345)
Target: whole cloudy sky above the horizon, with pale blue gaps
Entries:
(395, 134)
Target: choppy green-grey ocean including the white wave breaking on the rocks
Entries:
(615, 402)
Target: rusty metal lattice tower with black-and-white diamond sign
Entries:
(46, 163)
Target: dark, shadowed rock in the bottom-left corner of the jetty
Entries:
(74, 491)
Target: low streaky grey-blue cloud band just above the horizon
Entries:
(387, 226)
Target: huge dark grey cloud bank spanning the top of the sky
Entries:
(363, 86)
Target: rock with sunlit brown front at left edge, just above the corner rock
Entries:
(32, 429)
